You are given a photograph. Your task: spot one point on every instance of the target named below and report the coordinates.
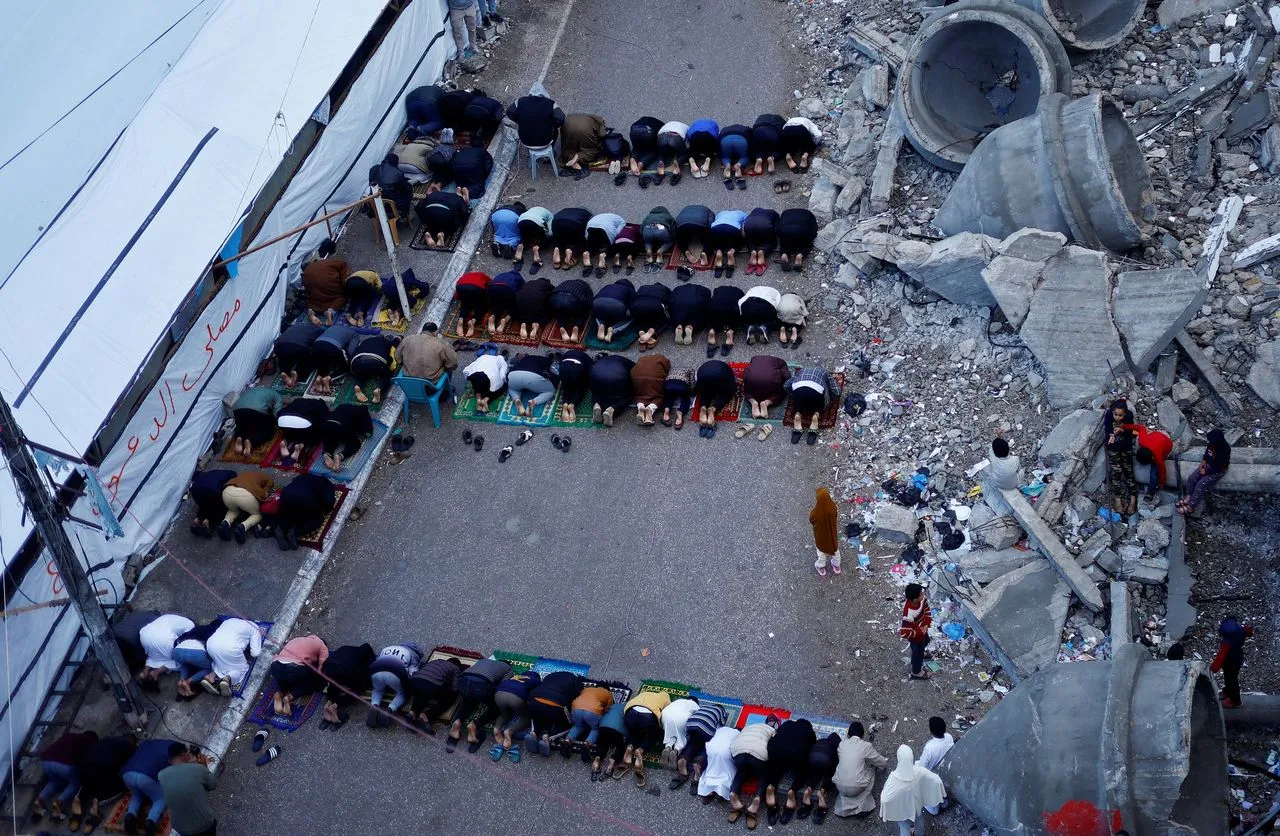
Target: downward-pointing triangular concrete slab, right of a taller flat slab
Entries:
(1151, 308)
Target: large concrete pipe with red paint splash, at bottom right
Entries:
(1132, 744)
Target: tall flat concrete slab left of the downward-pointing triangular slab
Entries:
(1071, 330)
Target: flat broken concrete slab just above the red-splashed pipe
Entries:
(1020, 618)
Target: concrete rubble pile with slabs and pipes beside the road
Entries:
(1030, 209)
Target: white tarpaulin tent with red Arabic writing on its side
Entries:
(86, 308)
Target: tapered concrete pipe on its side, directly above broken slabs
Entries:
(1073, 167)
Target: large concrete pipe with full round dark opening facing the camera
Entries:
(973, 67)
